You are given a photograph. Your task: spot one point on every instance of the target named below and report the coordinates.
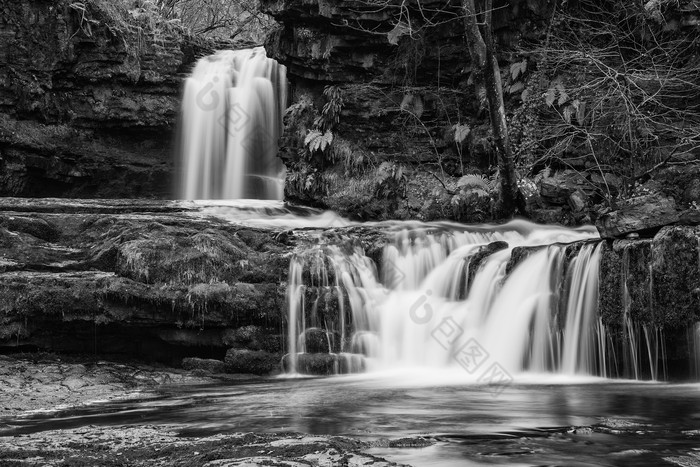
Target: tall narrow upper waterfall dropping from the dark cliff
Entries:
(231, 123)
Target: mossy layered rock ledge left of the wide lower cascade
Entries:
(82, 276)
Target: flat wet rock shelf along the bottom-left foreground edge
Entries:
(146, 445)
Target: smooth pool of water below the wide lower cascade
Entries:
(582, 422)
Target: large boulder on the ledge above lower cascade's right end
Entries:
(642, 214)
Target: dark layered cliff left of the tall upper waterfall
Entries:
(88, 99)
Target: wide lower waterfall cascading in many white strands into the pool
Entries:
(454, 299)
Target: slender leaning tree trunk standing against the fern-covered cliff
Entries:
(487, 77)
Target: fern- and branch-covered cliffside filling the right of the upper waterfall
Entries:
(600, 92)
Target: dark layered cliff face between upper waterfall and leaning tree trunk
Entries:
(400, 101)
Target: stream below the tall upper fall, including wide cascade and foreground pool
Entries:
(485, 340)
